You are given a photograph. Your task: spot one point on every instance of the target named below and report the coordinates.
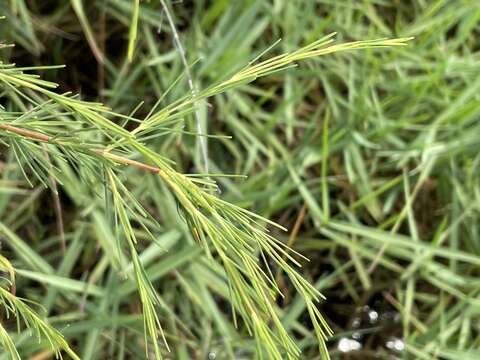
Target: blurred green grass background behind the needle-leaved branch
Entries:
(370, 158)
